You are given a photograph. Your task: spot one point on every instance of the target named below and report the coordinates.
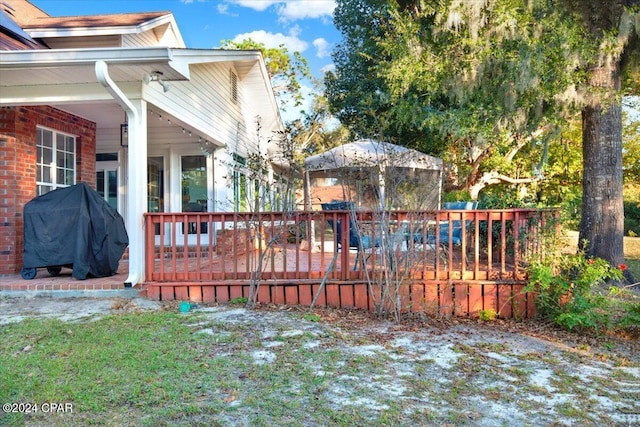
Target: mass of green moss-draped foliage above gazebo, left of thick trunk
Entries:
(482, 87)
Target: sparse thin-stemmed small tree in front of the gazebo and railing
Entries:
(377, 184)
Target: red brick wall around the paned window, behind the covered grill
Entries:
(18, 168)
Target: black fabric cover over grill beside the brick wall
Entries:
(76, 227)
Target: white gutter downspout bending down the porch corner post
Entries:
(136, 244)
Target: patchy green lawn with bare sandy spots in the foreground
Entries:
(220, 366)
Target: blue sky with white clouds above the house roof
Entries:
(303, 26)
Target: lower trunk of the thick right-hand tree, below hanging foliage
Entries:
(602, 222)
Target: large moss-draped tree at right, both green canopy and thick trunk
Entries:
(490, 82)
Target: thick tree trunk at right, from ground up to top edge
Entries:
(614, 25)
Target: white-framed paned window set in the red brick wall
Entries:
(56, 160)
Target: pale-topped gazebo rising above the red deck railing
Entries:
(375, 174)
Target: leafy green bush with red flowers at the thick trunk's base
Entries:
(571, 292)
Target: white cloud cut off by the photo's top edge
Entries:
(291, 10)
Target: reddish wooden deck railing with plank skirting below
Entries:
(454, 261)
